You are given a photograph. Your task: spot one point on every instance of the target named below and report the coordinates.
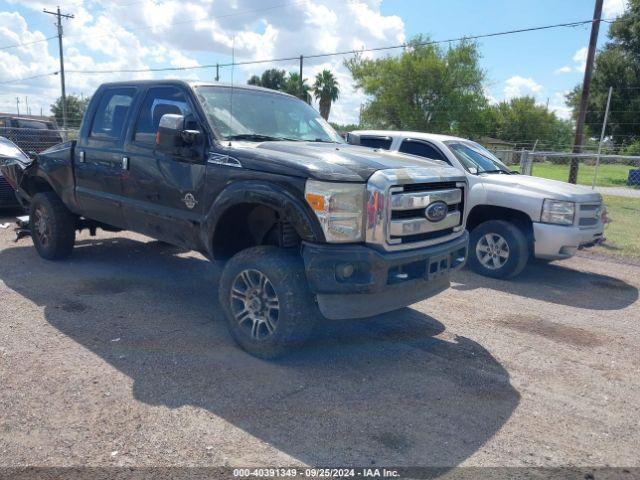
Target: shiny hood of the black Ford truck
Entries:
(328, 161)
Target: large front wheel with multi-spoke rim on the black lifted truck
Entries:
(267, 303)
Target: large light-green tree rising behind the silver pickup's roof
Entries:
(426, 88)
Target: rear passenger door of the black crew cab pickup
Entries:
(99, 157)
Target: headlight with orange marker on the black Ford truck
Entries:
(339, 208)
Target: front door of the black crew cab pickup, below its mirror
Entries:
(163, 193)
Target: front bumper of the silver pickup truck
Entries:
(554, 242)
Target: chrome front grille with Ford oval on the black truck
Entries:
(398, 214)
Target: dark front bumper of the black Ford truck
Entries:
(354, 281)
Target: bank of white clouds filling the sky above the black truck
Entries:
(110, 36)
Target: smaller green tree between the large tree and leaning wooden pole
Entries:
(521, 120)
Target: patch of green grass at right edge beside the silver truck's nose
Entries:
(623, 233)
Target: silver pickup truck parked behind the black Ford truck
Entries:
(512, 218)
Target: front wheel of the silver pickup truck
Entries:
(498, 249)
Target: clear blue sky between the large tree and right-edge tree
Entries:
(536, 55)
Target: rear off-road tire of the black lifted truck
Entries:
(61, 225)
